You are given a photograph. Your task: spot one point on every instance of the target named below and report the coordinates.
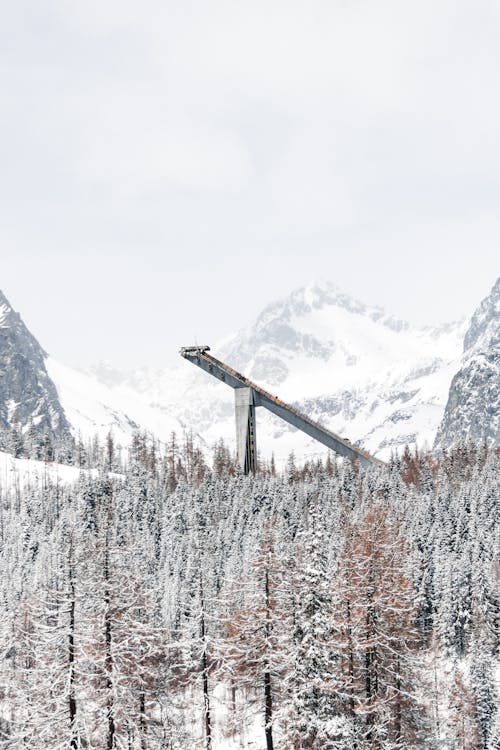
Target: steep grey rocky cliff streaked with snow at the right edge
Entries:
(473, 407)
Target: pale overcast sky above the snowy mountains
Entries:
(168, 168)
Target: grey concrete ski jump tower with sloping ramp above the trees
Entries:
(248, 396)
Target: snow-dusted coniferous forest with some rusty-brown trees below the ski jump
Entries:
(166, 603)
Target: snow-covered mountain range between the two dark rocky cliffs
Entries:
(369, 376)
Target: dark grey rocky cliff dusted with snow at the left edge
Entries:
(28, 397)
